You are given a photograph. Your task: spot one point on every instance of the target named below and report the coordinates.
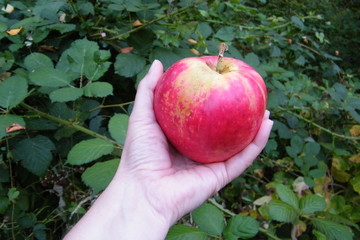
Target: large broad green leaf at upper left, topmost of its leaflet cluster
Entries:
(85, 59)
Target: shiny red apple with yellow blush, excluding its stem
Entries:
(208, 115)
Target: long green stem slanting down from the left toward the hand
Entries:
(70, 124)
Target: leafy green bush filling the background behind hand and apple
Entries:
(68, 76)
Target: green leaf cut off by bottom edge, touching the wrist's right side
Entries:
(183, 232)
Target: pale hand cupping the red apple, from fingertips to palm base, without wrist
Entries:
(175, 185)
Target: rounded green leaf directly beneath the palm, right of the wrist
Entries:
(209, 219)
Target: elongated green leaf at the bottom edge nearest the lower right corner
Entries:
(332, 230)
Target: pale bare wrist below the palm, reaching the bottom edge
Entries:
(121, 212)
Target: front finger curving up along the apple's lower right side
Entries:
(238, 164)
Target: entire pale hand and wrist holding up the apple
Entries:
(154, 185)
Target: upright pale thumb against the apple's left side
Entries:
(143, 107)
